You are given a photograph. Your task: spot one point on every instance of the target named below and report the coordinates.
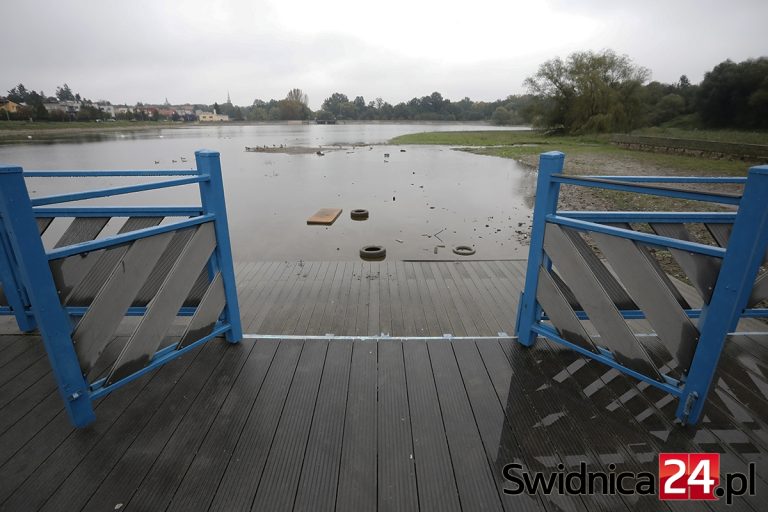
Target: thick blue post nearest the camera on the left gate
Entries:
(53, 321)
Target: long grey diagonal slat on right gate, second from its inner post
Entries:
(614, 331)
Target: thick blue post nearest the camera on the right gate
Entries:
(743, 257)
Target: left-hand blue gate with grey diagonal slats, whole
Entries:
(163, 262)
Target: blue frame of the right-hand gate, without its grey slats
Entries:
(738, 265)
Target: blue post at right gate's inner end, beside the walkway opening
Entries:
(547, 192)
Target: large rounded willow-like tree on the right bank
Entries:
(589, 92)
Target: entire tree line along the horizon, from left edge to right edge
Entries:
(588, 92)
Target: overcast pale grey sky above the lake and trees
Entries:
(197, 50)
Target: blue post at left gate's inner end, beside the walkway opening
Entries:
(212, 198)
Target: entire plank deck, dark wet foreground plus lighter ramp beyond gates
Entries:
(317, 425)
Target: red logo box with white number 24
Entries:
(688, 476)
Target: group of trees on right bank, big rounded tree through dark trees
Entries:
(593, 92)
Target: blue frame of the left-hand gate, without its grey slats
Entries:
(32, 295)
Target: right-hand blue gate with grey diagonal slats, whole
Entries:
(589, 273)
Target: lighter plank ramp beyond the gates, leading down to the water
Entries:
(394, 298)
